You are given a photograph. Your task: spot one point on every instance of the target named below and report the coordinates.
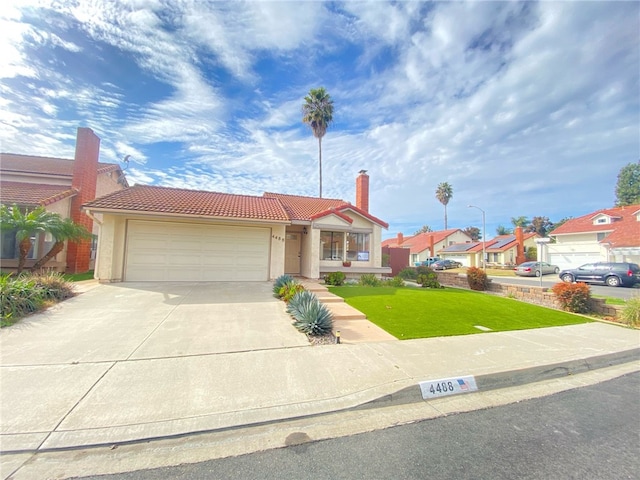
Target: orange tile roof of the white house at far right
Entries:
(625, 229)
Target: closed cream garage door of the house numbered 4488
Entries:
(164, 251)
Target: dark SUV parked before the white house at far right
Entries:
(609, 273)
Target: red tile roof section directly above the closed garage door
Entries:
(177, 201)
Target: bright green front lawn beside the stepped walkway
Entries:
(421, 313)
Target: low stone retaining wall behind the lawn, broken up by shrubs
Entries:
(537, 295)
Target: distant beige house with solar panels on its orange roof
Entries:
(501, 251)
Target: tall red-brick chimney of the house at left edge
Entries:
(85, 175)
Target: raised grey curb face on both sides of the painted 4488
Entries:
(514, 378)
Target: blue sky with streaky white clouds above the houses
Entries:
(526, 109)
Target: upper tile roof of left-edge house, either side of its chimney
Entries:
(58, 167)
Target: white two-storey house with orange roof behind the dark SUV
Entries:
(611, 234)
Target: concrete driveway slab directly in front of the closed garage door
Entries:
(145, 320)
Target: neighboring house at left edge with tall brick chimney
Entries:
(61, 186)
